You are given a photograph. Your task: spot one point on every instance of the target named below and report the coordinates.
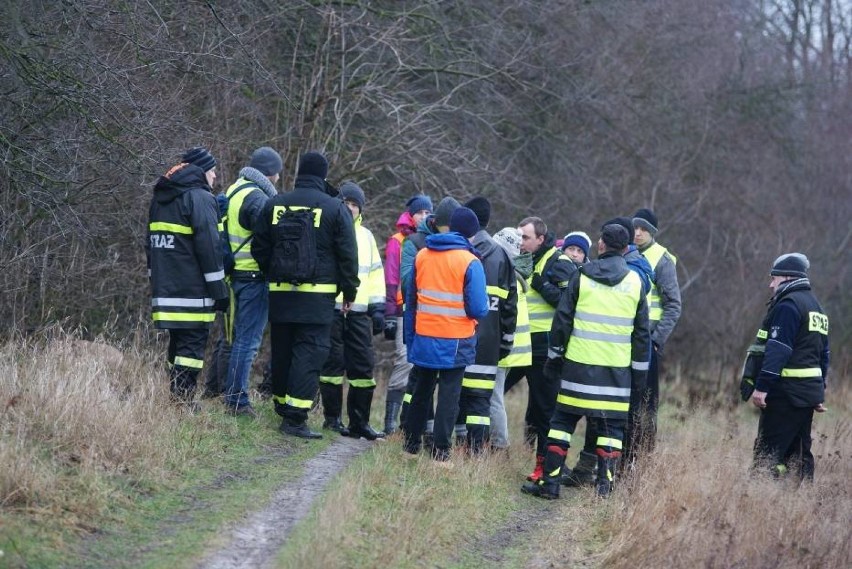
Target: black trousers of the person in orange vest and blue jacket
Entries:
(449, 391)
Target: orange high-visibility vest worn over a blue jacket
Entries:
(440, 294)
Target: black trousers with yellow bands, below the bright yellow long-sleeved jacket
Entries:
(351, 355)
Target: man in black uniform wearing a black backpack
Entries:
(301, 308)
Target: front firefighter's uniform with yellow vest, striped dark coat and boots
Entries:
(601, 333)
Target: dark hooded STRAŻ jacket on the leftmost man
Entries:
(183, 249)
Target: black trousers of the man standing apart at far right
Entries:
(784, 438)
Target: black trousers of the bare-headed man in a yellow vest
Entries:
(541, 402)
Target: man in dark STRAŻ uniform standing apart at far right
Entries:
(791, 383)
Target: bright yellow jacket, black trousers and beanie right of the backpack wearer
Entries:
(352, 340)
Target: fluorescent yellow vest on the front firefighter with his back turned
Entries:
(603, 322)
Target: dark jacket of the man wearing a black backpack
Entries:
(336, 250)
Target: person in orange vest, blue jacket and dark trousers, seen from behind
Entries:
(445, 299)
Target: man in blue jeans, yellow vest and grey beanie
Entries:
(249, 310)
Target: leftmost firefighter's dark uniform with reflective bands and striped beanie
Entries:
(185, 266)
